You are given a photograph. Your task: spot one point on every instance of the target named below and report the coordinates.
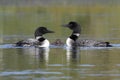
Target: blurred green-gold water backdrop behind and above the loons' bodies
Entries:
(97, 20)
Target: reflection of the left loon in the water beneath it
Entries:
(37, 54)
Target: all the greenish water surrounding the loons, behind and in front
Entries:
(99, 20)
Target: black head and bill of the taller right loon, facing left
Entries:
(74, 26)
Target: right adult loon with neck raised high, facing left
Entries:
(73, 38)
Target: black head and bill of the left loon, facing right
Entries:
(41, 31)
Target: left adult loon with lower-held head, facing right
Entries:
(39, 40)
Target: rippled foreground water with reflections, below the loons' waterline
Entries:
(59, 64)
